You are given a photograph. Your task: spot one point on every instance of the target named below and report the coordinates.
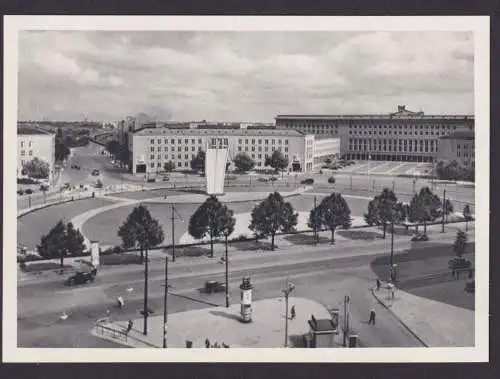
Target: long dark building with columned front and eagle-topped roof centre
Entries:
(400, 136)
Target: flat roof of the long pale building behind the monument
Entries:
(218, 132)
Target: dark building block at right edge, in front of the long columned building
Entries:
(458, 146)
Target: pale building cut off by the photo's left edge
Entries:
(32, 143)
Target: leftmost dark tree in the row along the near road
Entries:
(61, 241)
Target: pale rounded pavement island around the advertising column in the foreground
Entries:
(220, 324)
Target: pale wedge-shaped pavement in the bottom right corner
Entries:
(436, 324)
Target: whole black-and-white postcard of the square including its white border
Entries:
(304, 187)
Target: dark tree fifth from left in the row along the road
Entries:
(334, 212)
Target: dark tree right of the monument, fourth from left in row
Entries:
(272, 215)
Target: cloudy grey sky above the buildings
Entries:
(241, 76)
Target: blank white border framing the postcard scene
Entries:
(479, 25)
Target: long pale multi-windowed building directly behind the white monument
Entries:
(153, 147)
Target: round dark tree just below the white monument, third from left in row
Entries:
(212, 218)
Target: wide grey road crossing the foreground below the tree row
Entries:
(323, 275)
